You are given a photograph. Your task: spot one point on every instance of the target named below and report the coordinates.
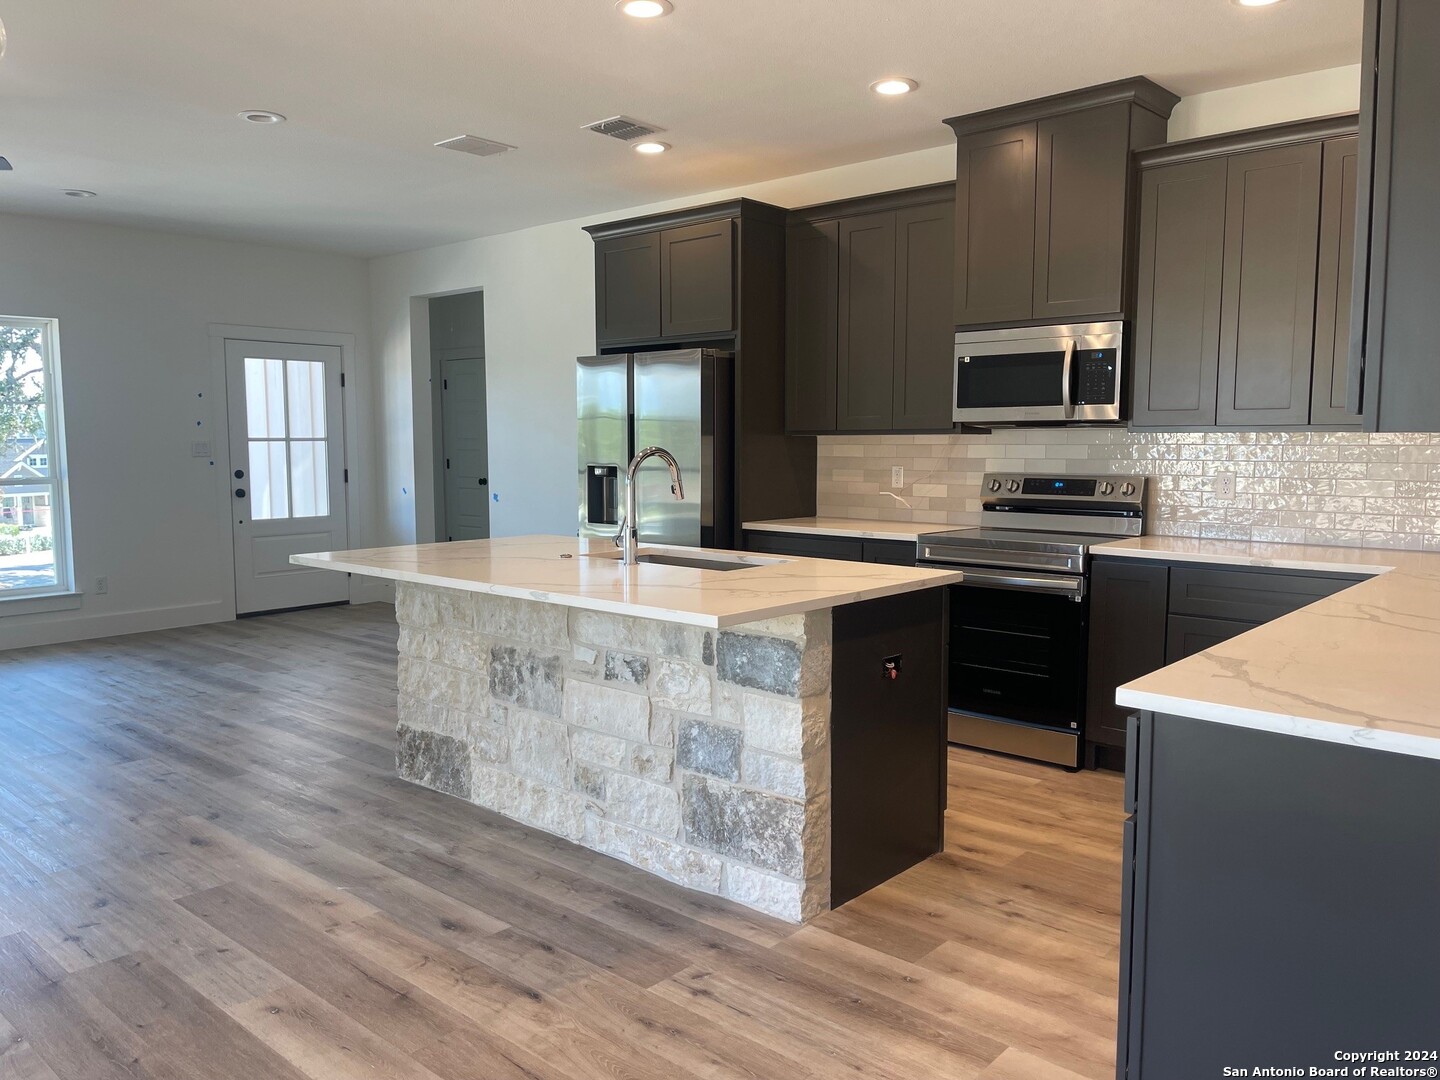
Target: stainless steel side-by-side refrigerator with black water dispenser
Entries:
(682, 401)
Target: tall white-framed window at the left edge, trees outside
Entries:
(35, 554)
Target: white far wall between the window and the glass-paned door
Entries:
(135, 309)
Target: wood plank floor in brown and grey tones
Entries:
(208, 870)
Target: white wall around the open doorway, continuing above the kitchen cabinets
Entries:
(539, 316)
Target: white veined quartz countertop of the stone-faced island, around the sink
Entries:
(575, 574)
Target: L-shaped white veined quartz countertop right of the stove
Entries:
(1362, 667)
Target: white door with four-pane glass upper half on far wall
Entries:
(287, 472)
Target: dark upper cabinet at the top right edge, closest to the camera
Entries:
(1395, 371)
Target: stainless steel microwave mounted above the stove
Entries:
(1039, 375)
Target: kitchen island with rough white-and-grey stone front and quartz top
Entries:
(771, 731)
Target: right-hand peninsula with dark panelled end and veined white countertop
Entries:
(1281, 862)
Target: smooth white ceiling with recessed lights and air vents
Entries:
(138, 100)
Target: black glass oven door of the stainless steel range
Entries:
(1019, 647)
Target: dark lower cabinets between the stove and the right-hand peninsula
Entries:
(1147, 614)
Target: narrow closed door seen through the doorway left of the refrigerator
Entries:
(467, 450)
